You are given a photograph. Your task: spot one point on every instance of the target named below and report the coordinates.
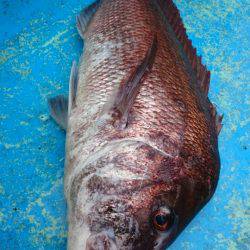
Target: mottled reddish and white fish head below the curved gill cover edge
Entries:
(137, 198)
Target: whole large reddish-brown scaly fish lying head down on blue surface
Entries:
(141, 148)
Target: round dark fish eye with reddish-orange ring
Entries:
(163, 219)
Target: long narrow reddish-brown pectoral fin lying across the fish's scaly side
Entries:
(127, 93)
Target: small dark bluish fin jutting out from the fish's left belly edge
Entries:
(59, 110)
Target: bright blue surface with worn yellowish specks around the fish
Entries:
(38, 42)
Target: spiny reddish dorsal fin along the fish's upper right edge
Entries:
(173, 17)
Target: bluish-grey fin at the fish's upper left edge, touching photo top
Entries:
(84, 18)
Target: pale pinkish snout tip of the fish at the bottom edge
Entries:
(100, 241)
